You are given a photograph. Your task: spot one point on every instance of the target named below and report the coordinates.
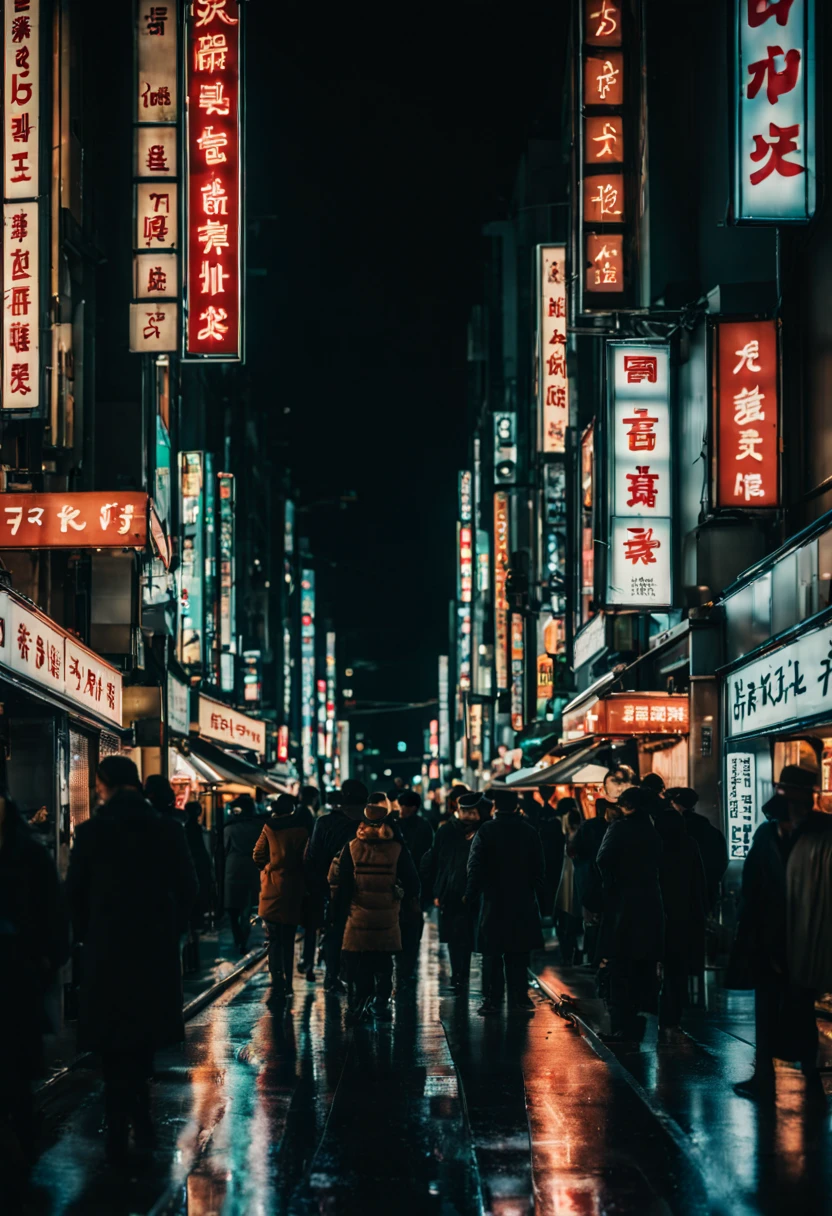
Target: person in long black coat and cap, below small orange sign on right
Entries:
(633, 926)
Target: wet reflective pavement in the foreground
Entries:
(273, 1110)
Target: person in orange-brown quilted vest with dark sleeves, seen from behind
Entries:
(374, 875)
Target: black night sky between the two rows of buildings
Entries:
(380, 142)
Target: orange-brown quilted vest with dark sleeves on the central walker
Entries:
(372, 879)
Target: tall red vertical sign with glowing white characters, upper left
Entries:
(215, 185)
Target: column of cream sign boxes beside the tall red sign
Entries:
(156, 244)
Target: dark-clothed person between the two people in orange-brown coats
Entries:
(330, 836)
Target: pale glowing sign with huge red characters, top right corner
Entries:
(774, 171)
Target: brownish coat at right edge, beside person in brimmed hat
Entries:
(809, 905)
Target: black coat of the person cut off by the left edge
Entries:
(35, 943)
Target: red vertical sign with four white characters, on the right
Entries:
(747, 415)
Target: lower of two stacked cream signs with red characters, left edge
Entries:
(21, 314)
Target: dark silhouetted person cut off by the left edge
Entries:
(35, 944)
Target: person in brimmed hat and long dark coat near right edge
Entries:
(784, 1010)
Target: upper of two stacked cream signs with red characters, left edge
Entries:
(21, 106)
